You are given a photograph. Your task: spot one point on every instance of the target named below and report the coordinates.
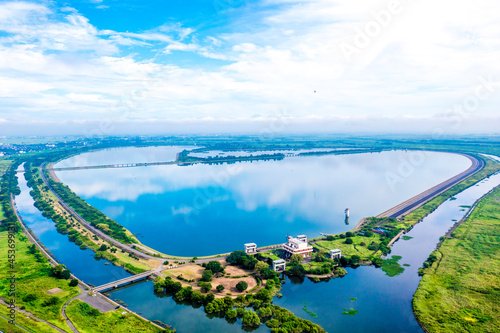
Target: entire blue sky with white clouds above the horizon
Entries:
(272, 67)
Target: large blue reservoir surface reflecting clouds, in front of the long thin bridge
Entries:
(296, 195)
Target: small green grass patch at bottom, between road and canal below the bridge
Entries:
(89, 320)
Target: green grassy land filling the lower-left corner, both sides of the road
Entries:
(42, 289)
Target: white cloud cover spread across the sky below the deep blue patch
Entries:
(428, 58)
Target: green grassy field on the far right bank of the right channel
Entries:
(460, 292)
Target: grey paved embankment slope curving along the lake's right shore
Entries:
(418, 200)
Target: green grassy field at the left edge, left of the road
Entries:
(33, 278)
